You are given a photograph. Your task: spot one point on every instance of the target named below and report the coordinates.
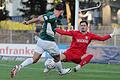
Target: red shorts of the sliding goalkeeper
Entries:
(73, 56)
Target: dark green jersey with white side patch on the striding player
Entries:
(48, 28)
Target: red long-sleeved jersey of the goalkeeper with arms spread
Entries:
(81, 41)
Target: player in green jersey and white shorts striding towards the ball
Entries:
(46, 41)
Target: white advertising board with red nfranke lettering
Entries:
(17, 50)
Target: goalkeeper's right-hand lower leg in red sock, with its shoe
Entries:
(85, 59)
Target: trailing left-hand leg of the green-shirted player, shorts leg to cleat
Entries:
(37, 54)
